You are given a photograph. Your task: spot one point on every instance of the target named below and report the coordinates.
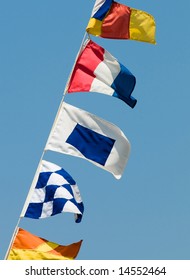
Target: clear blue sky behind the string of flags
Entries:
(145, 214)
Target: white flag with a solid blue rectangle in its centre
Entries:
(81, 134)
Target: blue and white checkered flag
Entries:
(55, 192)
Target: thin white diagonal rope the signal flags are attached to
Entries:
(41, 158)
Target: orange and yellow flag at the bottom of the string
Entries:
(27, 246)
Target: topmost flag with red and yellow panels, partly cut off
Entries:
(113, 20)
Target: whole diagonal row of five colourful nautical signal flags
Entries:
(82, 134)
